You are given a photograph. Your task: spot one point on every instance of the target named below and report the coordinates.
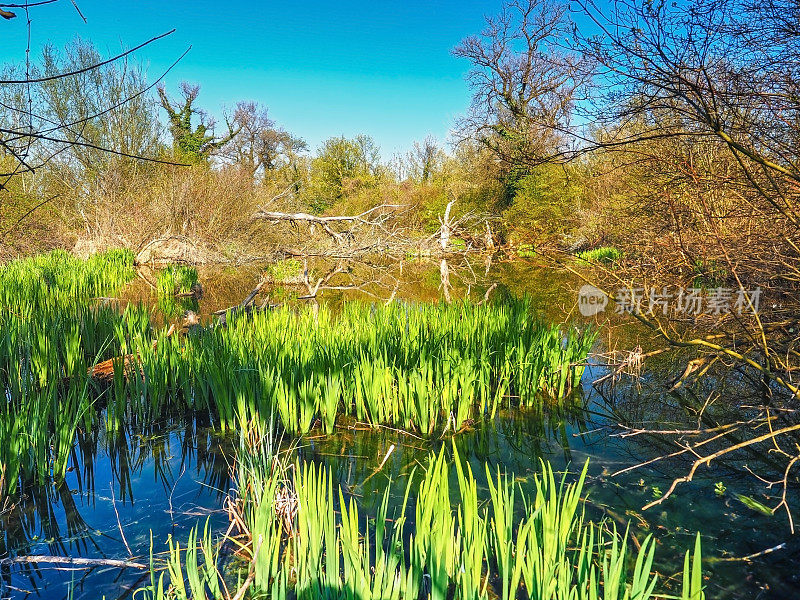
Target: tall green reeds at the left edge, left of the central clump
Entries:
(49, 336)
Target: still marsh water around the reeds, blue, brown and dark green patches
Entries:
(127, 491)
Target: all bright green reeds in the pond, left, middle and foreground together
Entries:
(428, 369)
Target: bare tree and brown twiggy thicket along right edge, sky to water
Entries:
(701, 114)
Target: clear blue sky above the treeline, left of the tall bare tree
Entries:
(382, 68)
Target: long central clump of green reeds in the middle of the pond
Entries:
(426, 368)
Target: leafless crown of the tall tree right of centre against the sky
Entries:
(524, 85)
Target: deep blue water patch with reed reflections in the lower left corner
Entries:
(163, 480)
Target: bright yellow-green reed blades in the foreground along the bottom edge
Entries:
(443, 542)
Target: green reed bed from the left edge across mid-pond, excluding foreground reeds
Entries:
(427, 368)
